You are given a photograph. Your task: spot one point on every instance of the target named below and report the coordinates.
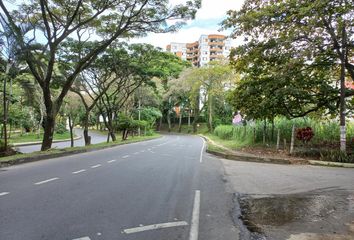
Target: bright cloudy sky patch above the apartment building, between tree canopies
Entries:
(207, 21)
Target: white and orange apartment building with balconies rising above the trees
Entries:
(207, 48)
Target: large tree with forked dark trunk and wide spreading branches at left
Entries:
(52, 22)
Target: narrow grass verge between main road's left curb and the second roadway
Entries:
(52, 153)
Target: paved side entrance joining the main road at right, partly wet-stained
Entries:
(292, 202)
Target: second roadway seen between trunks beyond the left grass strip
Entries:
(95, 138)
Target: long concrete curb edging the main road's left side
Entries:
(64, 153)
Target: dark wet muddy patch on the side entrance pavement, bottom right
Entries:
(327, 214)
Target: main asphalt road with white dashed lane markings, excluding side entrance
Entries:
(163, 189)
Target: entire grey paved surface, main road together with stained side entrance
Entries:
(169, 189)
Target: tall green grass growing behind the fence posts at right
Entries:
(326, 132)
